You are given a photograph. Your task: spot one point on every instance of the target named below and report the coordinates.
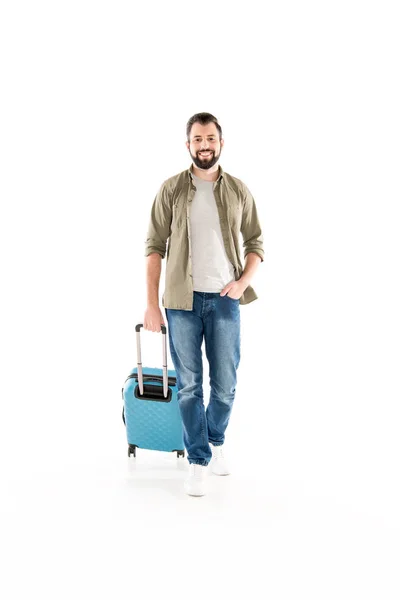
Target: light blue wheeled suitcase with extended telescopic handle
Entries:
(151, 411)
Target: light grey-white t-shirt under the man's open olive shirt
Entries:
(211, 267)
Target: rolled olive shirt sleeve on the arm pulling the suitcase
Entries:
(159, 228)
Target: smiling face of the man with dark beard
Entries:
(205, 145)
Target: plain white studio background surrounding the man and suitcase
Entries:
(94, 103)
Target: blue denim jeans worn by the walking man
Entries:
(217, 319)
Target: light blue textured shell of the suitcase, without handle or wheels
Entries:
(154, 424)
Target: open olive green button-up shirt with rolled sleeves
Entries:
(170, 221)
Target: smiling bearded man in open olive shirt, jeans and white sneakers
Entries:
(200, 212)
